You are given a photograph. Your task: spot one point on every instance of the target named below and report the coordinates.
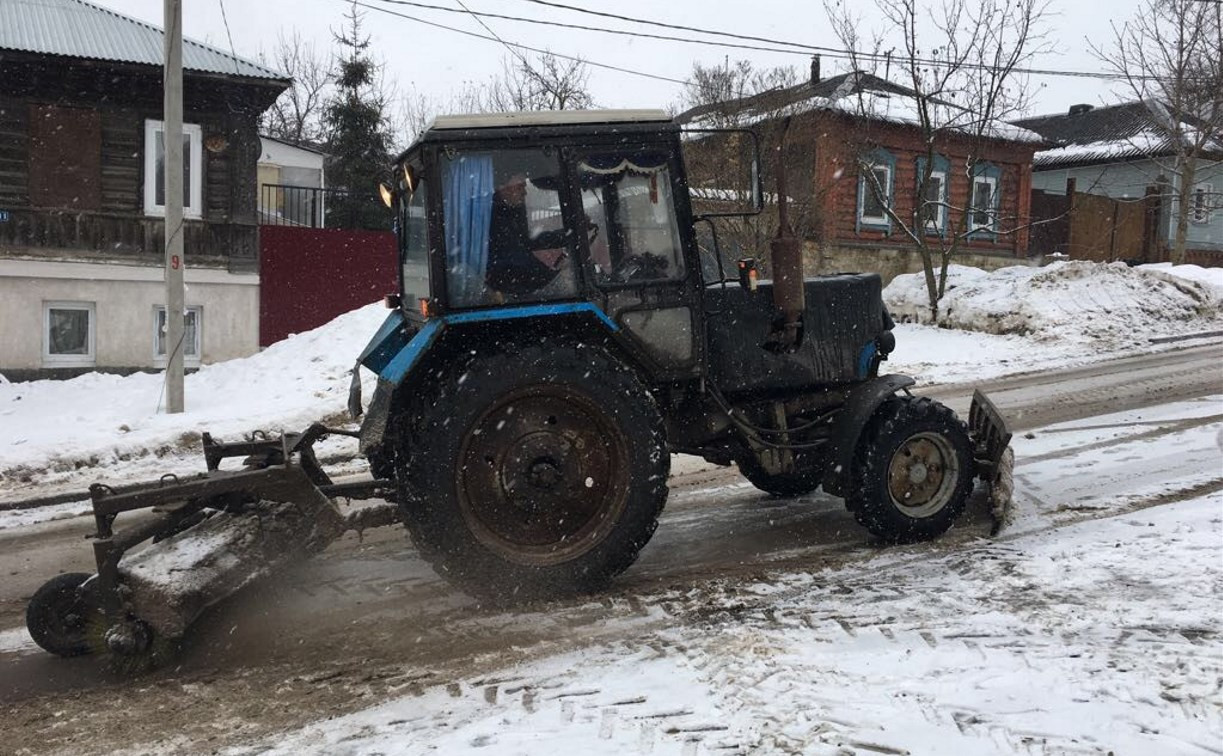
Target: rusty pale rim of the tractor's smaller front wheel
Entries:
(923, 475)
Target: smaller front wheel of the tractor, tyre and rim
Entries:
(913, 473)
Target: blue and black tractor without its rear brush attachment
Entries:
(561, 332)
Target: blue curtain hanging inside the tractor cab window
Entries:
(468, 206)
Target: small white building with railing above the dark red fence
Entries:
(292, 185)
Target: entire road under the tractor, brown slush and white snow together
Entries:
(750, 626)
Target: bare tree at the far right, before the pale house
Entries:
(1170, 56)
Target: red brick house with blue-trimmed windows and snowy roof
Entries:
(849, 127)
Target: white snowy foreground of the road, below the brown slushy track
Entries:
(1059, 642)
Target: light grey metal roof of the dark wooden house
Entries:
(75, 29)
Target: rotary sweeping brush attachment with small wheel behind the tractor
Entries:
(211, 536)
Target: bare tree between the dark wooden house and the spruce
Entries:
(297, 117)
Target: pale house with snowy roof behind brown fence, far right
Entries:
(1109, 189)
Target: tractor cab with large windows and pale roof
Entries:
(585, 215)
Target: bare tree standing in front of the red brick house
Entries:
(959, 59)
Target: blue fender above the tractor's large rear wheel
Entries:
(401, 348)
